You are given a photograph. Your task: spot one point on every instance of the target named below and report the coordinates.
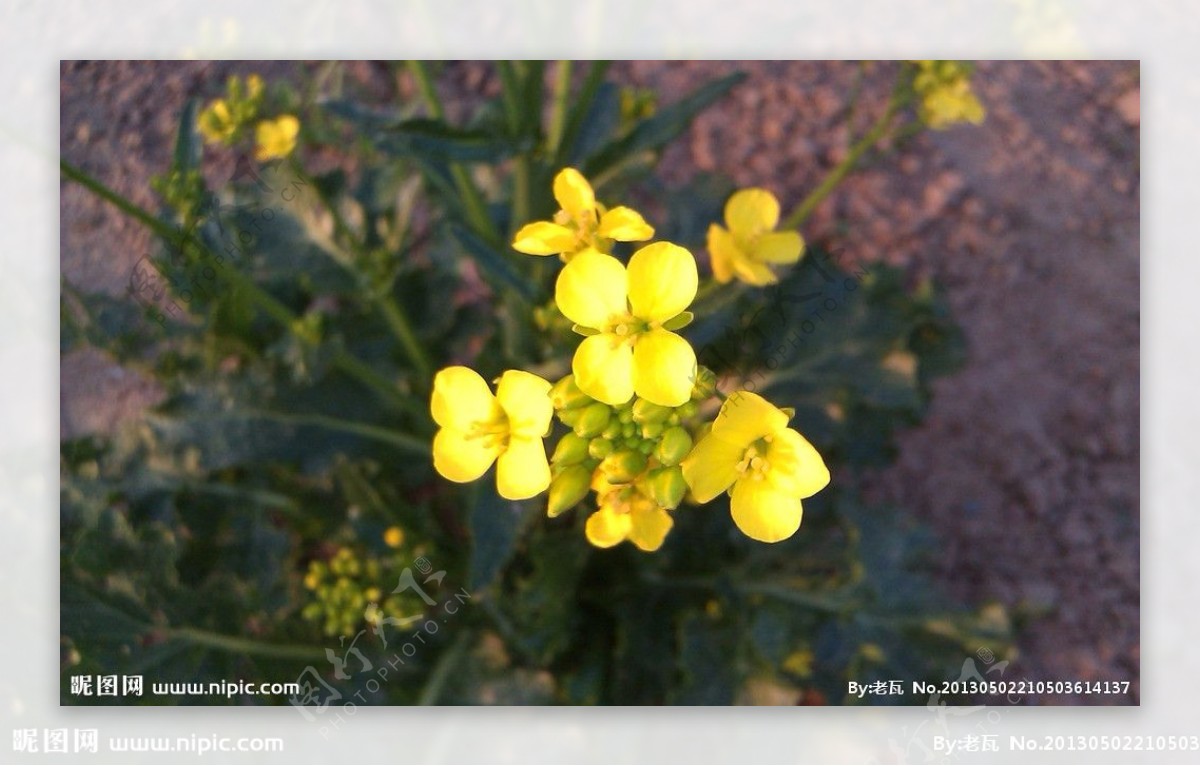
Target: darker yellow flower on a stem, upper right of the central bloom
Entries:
(751, 244)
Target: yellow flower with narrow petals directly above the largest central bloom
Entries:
(583, 223)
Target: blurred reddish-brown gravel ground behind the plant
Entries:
(1028, 466)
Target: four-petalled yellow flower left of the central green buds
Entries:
(479, 429)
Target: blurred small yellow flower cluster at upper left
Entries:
(226, 121)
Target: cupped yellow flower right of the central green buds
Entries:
(770, 468)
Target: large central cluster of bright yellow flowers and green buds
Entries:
(635, 400)
